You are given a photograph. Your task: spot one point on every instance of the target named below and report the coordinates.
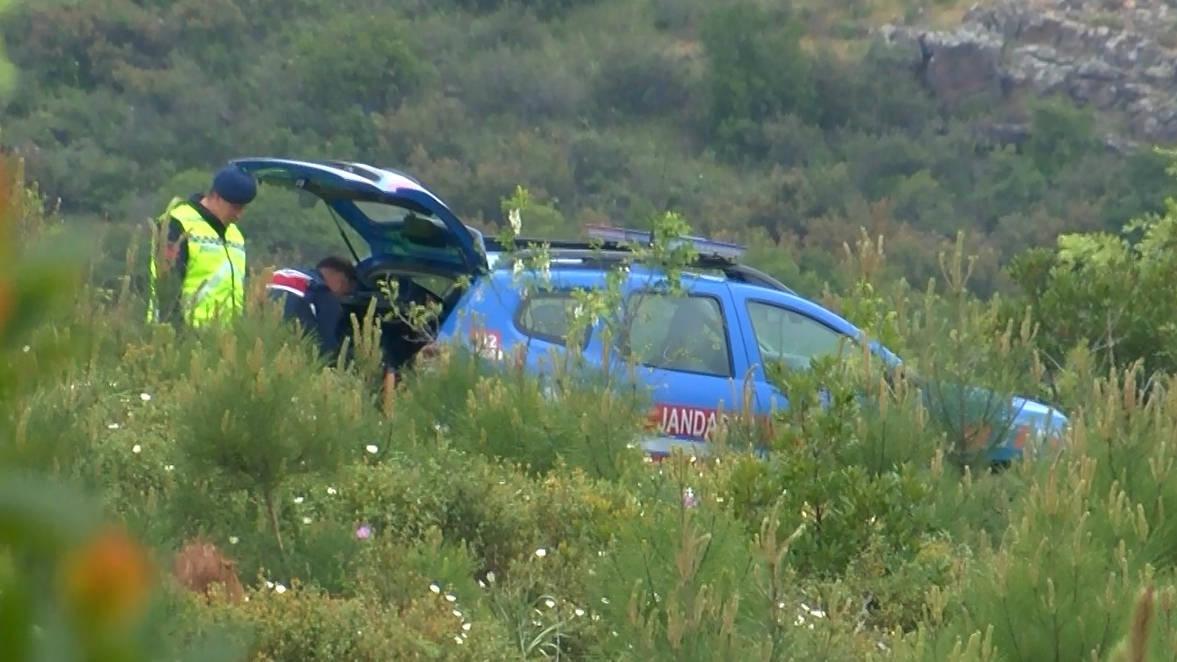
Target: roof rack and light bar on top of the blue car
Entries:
(613, 246)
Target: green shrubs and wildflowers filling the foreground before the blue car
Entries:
(453, 529)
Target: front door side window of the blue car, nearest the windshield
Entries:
(792, 339)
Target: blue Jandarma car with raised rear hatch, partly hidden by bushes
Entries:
(700, 353)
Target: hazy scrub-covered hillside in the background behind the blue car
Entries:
(786, 127)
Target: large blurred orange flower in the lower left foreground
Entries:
(108, 581)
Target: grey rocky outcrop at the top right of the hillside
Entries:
(1118, 56)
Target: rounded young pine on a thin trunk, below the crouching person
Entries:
(257, 408)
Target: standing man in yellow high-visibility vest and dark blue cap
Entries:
(197, 276)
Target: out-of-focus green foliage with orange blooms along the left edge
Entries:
(75, 582)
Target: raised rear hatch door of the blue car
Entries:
(398, 219)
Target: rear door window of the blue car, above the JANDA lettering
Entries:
(679, 333)
